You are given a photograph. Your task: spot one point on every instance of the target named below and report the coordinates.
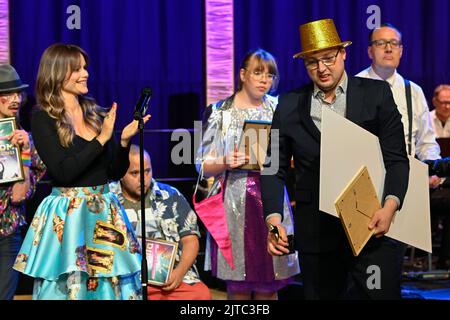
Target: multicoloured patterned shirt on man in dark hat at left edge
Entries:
(12, 215)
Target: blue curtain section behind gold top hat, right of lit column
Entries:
(273, 25)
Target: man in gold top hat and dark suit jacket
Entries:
(328, 267)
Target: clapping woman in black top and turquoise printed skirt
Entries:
(63, 249)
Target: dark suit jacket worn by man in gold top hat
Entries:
(370, 105)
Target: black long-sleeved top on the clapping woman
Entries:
(84, 163)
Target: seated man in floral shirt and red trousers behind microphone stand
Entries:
(168, 217)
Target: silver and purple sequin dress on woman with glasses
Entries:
(254, 268)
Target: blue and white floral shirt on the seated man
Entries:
(168, 217)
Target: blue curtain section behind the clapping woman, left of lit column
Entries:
(131, 44)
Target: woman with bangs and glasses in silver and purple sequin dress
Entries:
(256, 274)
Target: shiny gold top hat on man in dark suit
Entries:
(319, 35)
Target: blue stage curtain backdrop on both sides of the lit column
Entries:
(160, 43)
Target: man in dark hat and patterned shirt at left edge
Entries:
(14, 194)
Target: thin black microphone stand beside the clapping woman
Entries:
(144, 271)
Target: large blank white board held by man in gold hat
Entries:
(345, 147)
